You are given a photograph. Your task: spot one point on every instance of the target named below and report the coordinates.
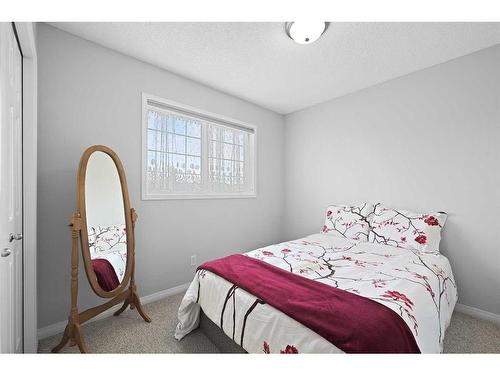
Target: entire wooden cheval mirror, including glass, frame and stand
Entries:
(103, 226)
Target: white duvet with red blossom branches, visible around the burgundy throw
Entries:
(418, 286)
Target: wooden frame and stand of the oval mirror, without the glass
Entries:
(79, 236)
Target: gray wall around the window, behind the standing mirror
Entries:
(89, 95)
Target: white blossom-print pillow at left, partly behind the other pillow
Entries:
(348, 221)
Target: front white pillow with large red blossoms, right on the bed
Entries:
(407, 229)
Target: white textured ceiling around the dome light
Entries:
(257, 61)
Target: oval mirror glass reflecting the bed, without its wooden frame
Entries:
(105, 215)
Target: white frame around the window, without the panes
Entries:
(188, 111)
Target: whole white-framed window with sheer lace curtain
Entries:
(188, 153)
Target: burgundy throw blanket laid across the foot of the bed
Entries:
(352, 323)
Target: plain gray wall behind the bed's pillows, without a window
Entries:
(426, 141)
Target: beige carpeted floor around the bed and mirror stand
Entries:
(128, 333)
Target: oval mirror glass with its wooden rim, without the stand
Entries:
(106, 231)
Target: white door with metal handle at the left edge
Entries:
(11, 211)
